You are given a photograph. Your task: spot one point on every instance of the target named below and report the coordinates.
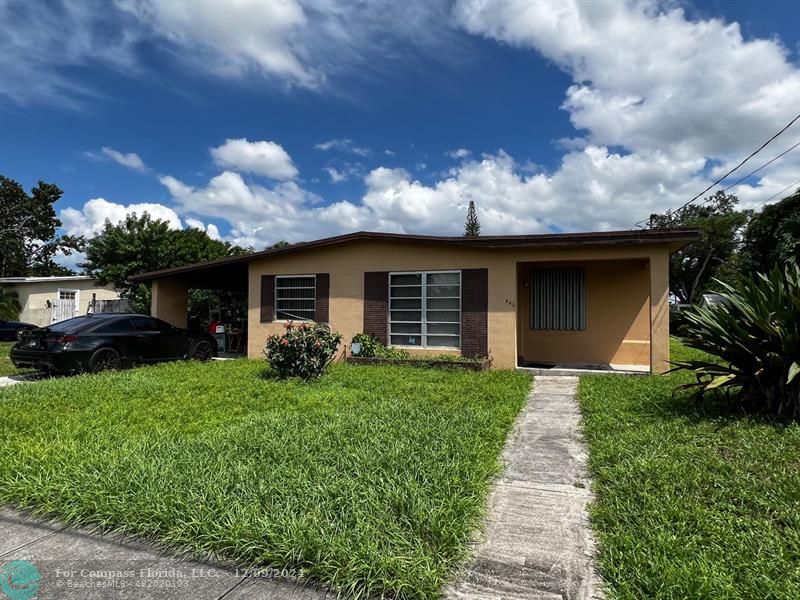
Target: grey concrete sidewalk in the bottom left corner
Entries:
(40, 560)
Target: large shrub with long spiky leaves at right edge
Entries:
(756, 334)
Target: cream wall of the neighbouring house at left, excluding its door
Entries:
(33, 297)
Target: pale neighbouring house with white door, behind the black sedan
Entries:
(47, 300)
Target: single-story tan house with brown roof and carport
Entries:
(523, 300)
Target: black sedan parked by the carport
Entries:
(108, 341)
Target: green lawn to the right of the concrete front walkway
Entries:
(691, 502)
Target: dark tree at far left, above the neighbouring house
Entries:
(28, 225)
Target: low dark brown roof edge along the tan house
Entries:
(675, 238)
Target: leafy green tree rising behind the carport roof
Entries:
(140, 244)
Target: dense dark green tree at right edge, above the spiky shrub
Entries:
(772, 236)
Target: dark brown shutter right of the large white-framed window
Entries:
(474, 312)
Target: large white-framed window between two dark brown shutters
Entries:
(425, 309)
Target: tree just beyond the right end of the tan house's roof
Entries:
(693, 268)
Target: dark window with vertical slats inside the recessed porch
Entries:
(558, 298)
